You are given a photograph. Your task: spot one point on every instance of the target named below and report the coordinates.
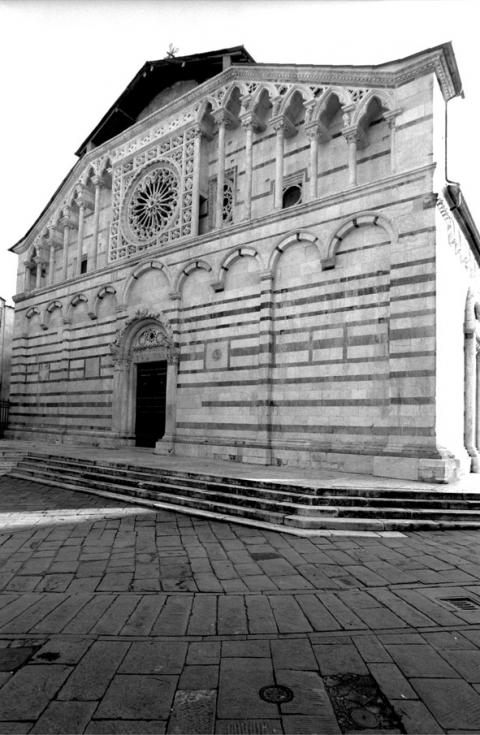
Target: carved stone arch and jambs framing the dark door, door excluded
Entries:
(145, 337)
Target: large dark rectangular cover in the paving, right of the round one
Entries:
(358, 703)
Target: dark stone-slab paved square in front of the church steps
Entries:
(116, 618)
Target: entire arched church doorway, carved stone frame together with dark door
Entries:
(145, 382)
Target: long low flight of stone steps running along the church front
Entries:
(270, 504)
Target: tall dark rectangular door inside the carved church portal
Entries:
(151, 402)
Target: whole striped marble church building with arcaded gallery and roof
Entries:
(263, 264)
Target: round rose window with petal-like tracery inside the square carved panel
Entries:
(152, 203)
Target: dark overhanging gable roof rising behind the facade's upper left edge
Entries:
(152, 78)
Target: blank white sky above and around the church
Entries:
(64, 62)
